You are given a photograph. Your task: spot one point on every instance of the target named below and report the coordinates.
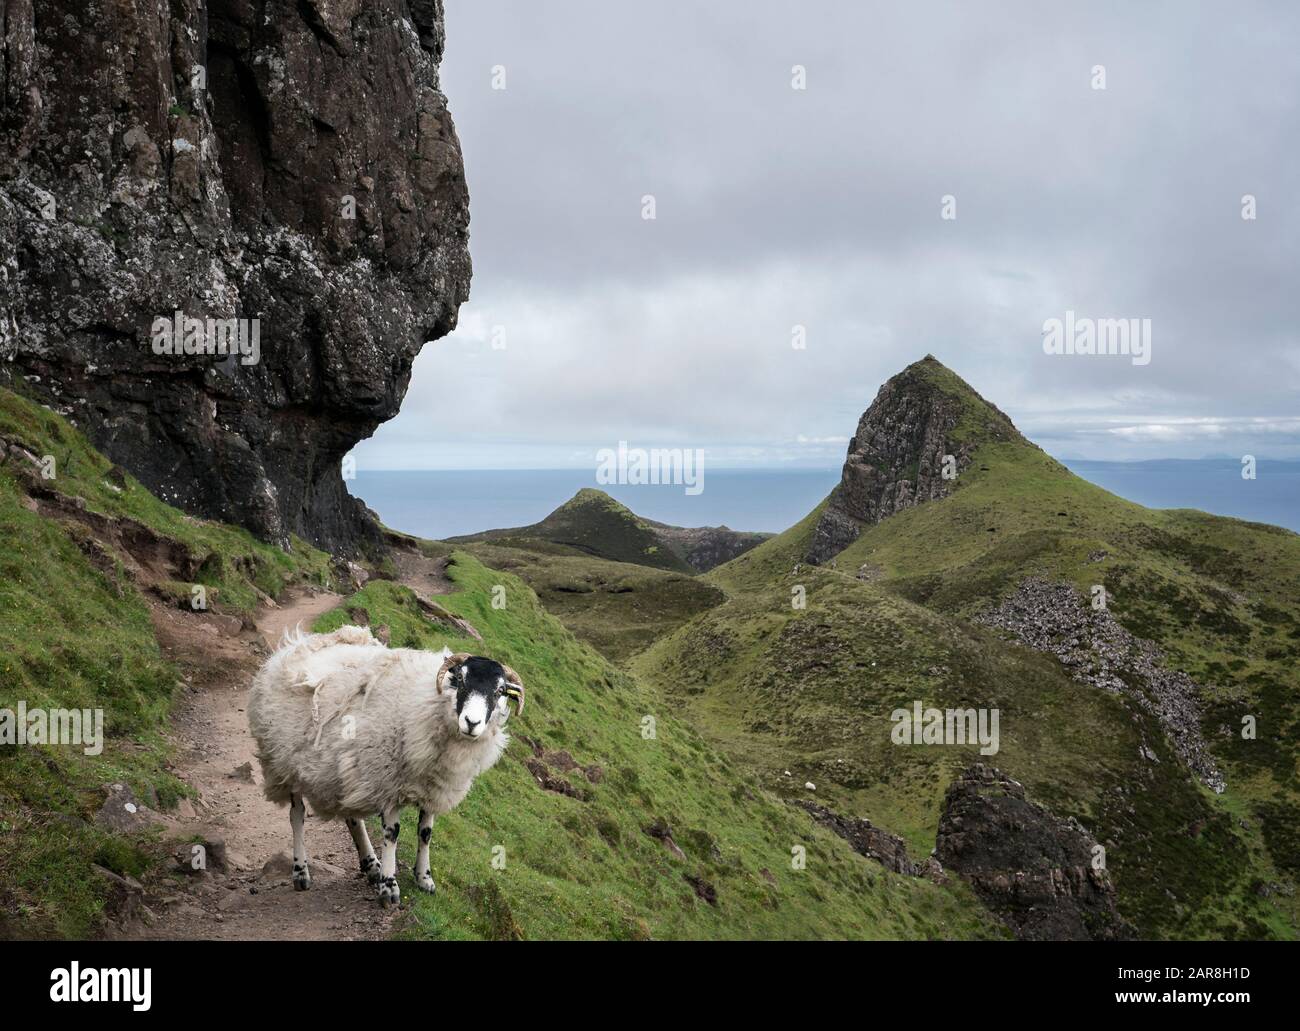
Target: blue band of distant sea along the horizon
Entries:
(449, 504)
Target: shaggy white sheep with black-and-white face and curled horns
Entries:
(356, 727)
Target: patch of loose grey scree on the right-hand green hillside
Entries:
(1095, 649)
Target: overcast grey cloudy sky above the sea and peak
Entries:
(822, 207)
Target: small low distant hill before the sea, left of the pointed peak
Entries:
(595, 523)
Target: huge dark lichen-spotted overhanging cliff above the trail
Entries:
(291, 162)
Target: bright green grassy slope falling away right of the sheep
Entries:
(587, 869)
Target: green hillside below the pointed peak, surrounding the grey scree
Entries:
(812, 691)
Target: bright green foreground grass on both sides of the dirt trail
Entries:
(76, 634)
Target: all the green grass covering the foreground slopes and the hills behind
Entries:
(751, 699)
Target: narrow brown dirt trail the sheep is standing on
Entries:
(246, 893)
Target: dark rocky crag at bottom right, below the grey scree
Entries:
(1037, 872)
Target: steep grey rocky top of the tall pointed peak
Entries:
(896, 458)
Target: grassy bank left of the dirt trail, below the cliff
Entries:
(77, 634)
